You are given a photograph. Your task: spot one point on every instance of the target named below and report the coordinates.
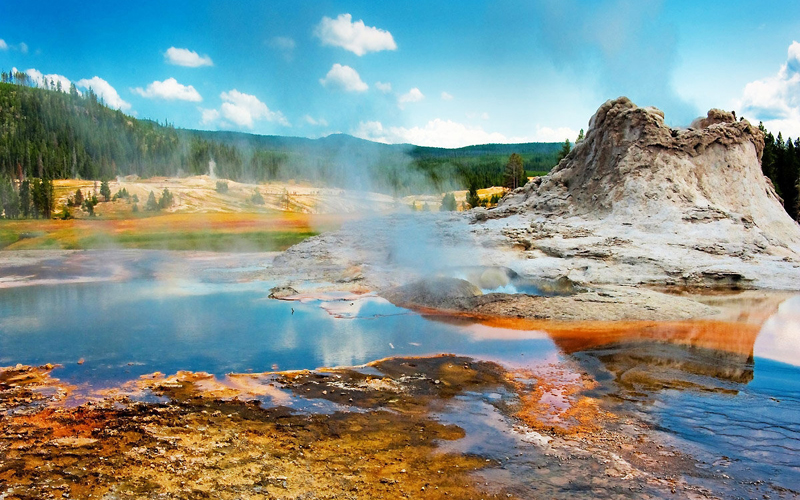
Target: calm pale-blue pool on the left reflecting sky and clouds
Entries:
(123, 330)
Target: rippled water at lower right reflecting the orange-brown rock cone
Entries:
(727, 392)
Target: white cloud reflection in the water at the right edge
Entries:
(779, 338)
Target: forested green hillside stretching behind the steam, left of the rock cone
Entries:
(57, 135)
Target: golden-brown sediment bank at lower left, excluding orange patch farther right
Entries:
(210, 442)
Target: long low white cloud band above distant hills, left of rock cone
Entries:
(450, 134)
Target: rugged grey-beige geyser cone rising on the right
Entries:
(632, 166)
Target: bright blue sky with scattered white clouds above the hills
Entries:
(445, 74)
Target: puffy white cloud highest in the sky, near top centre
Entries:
(353, 36)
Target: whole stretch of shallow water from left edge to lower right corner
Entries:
(734, 408)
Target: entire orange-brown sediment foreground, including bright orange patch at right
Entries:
(214, 437)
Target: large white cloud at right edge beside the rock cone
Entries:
(775, 100)
